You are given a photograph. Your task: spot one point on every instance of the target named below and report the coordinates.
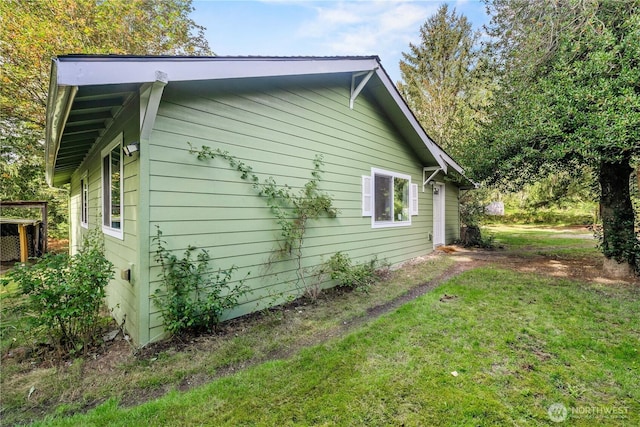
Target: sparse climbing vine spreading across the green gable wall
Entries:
(292, 208)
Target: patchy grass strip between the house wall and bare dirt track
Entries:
(31, 386)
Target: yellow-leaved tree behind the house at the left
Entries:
(33, 32)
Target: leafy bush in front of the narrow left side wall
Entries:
(65, 294)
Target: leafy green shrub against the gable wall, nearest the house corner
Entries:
(192, 298)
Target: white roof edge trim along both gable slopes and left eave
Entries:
(70, 72)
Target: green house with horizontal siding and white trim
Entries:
(119, 130)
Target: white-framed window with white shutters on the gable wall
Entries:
(389, 198)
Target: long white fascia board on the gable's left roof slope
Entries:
(103, 70)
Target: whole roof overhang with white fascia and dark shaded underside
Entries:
(102, 93)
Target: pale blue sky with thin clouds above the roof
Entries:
(322, 28)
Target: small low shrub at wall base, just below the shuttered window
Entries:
(358, 276)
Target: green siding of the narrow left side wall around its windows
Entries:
(122, 296)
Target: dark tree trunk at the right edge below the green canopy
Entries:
(619, 242)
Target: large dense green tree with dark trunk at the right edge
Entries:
(569, 97)
